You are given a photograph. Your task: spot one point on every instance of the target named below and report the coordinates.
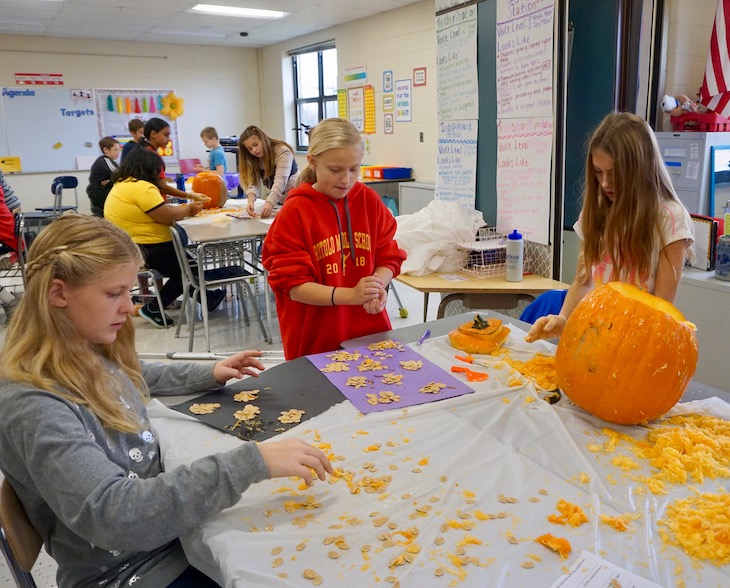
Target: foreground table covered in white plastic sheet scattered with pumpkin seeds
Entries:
(478, 474)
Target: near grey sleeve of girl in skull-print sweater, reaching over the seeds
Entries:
(66, 461)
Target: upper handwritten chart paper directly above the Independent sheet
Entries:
(456, 64)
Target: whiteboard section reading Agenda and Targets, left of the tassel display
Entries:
(48, 128)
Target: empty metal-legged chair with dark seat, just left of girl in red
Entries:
(222, 267)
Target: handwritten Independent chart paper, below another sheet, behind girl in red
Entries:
(457, 162)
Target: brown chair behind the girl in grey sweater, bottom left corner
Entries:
(19, 541)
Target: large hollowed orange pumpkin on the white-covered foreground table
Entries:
(625, 355)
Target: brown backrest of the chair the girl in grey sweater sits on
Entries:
(25, 542)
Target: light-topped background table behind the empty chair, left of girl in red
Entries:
(219, 229)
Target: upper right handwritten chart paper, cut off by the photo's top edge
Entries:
(524, 58)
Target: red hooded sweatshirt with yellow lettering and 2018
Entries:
(333, 242)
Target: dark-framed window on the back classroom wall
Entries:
(315, 88)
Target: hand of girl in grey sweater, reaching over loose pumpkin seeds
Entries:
(294, 457)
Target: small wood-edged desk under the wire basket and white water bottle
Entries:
(479, 292)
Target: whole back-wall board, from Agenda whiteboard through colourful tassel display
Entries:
(49, 128)
